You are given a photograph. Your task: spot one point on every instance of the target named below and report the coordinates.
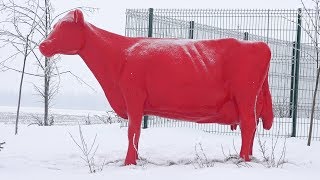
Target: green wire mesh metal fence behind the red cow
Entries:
(293, 66)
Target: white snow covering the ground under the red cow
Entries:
(166, 153)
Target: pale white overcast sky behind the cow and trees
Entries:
(111, 16)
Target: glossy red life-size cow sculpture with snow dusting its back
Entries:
(205, 81)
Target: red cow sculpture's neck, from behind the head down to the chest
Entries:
(103, 54)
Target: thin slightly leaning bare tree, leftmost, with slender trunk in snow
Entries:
(23, 26)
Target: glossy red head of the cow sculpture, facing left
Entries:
(67, 36)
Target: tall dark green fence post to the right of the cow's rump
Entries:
(296, 77)
